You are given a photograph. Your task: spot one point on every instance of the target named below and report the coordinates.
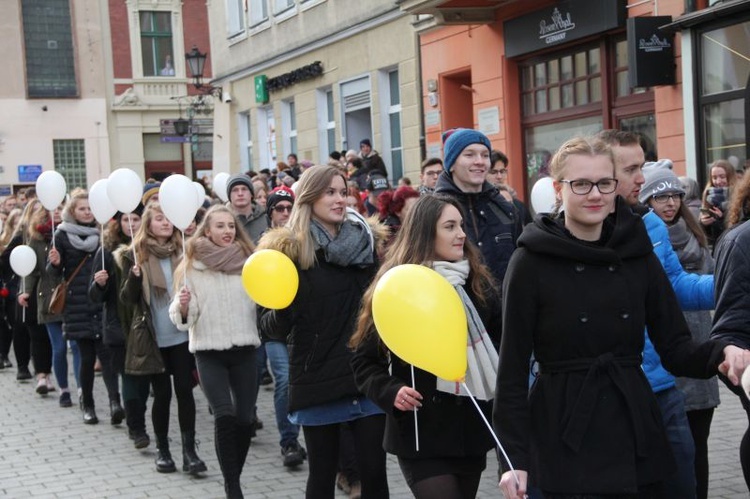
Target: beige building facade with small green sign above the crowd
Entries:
(310, 77)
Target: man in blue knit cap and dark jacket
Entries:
(490, 221)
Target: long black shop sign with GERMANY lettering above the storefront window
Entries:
(561, 23)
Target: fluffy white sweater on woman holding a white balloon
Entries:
(220, 315)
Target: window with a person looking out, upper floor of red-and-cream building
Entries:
(156, 43)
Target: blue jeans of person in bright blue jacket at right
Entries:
(672, 405)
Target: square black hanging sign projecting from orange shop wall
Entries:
(650, 52)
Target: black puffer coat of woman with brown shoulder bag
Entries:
(82, 317)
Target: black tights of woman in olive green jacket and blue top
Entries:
(178, 362)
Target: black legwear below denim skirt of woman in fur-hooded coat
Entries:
(323, 452)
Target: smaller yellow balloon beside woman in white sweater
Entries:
(270, 278)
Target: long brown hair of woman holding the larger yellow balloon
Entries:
(415, 244)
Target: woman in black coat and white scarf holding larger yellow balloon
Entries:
(453, 440)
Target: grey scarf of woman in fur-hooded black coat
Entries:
(351, 246)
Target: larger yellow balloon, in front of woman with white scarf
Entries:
(421, 318)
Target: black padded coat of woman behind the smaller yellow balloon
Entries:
(320, 322)
